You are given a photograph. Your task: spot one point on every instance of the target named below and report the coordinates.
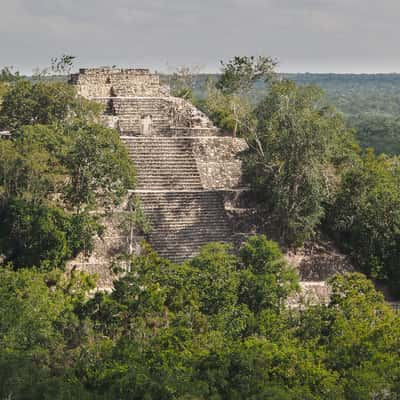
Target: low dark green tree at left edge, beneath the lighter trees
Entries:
(43, 235)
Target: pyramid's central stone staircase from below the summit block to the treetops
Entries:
(183, 214)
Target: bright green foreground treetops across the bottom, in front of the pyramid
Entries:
(187, 332)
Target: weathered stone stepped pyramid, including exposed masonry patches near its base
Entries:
(189, 175)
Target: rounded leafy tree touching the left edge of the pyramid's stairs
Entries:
(98, 165)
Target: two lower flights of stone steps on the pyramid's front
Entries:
(183, 216)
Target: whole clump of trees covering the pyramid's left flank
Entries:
(59, 158)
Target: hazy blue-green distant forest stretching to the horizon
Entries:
(370, 103)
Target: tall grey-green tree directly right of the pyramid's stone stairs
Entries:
(292, 155)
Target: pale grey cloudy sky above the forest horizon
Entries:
(304, 35)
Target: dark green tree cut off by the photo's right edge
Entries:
(365, 217)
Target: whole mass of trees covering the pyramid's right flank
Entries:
(305, 166)
